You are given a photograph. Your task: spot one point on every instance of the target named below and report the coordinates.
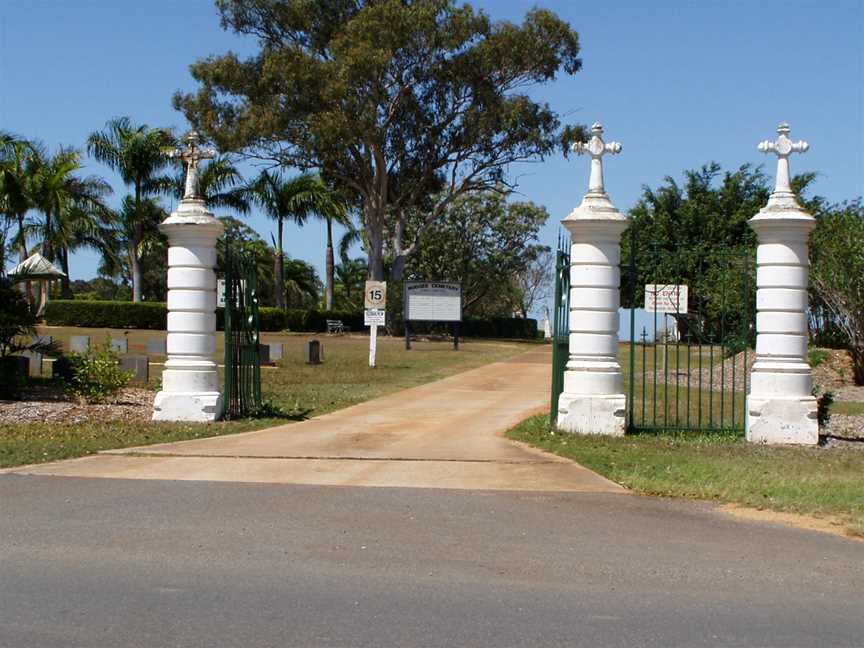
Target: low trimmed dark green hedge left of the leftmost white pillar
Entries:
(107, 314)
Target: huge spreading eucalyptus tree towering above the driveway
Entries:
(404, 105)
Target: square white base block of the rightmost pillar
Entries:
(777, 420)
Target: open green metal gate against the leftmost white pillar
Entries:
(242, 335)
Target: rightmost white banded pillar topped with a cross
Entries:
(780, 406)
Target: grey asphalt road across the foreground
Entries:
(99, 562)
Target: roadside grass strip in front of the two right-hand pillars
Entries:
(722, 467)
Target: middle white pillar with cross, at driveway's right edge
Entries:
(593, 400)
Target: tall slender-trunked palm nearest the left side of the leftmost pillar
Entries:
(139, 154)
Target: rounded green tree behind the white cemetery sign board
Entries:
(483, 242)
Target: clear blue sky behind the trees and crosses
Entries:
(677, 83)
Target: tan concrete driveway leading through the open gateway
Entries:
(444, 434)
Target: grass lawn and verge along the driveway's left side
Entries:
(343, 379)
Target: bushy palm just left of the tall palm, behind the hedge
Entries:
(73, 209)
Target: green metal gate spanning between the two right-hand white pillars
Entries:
(689, 363)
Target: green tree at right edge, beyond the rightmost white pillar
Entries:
(837, 274)
